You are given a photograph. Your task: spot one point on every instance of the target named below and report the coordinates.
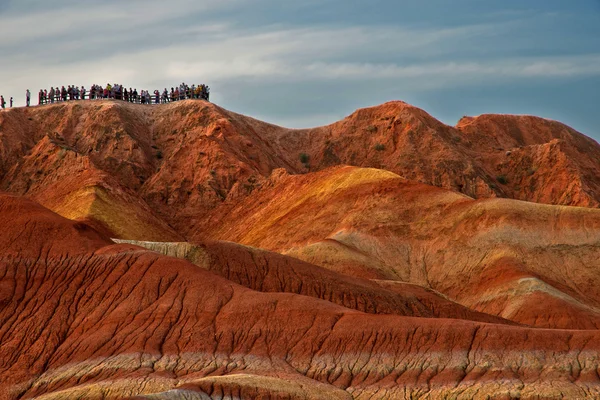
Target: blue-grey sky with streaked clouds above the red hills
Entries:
(305, 63)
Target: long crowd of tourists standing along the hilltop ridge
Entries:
(117, 92)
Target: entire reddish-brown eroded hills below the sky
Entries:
(417, 272)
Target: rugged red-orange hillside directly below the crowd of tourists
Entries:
(172, 162)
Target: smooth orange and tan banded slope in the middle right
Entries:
(496, 256)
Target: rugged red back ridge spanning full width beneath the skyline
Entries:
(175, 163)
